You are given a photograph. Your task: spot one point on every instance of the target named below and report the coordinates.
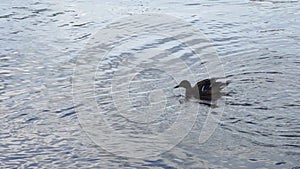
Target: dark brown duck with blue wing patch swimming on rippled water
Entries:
(207, 89)
